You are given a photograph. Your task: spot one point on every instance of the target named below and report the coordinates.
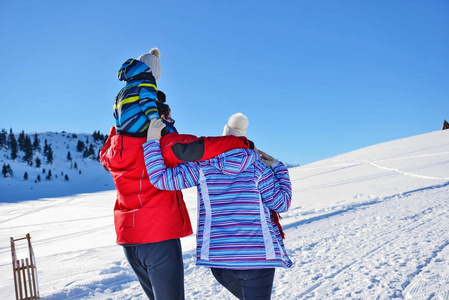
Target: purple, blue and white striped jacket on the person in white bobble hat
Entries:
(236, 193)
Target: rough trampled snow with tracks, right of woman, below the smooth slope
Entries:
(385, 249)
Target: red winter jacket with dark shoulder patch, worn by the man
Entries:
(142, 213)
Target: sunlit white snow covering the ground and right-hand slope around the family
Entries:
(369, 224)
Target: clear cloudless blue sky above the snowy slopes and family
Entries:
(315, 78)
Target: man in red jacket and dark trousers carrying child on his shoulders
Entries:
(150, 222)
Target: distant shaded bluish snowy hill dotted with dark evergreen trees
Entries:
(82, 173)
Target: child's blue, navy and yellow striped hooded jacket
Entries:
(135, 104)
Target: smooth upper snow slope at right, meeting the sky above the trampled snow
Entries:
(375, 172)
